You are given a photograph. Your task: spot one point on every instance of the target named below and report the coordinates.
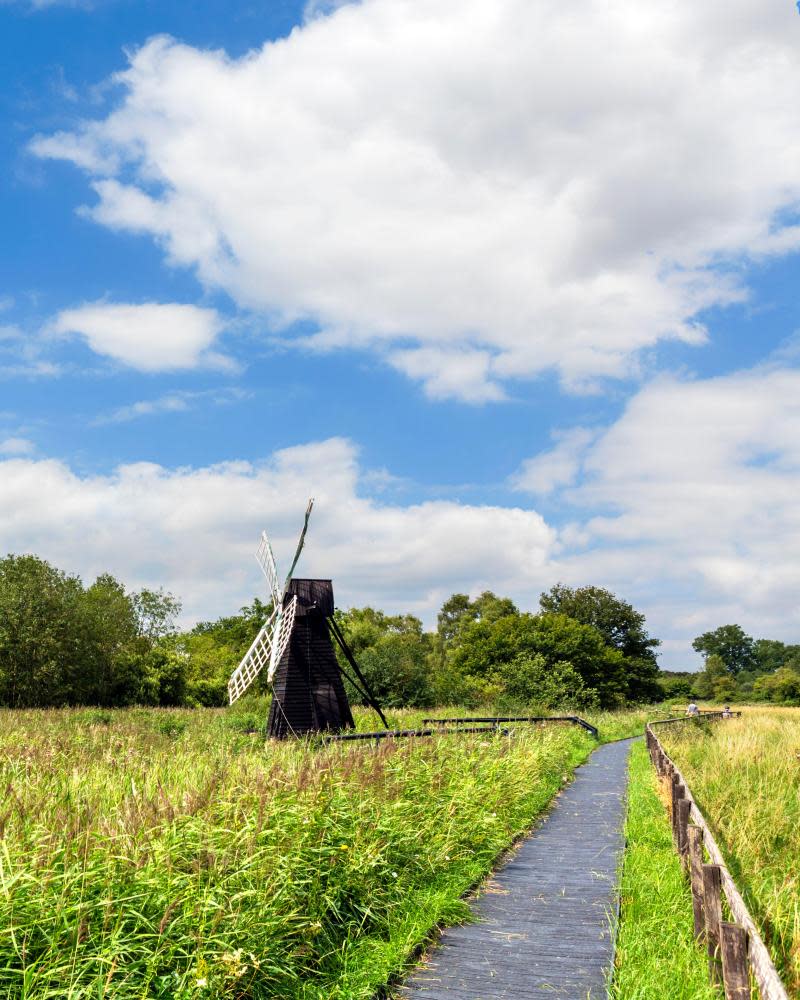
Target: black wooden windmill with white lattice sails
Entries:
(295, 645)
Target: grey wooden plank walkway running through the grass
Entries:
(545, 920)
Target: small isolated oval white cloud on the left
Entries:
(151, 337)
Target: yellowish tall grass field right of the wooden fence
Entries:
(745, 775)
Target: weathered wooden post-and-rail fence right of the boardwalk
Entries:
(734, 948)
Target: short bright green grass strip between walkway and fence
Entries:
(656, 952)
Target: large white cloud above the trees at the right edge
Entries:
(689, 503)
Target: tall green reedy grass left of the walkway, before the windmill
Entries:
(175, 854)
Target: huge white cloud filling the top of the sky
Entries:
(527, 185)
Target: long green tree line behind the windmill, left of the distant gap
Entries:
(64, 643)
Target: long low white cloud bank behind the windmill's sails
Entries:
(194, 531)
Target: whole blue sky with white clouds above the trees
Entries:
(509, 286)
